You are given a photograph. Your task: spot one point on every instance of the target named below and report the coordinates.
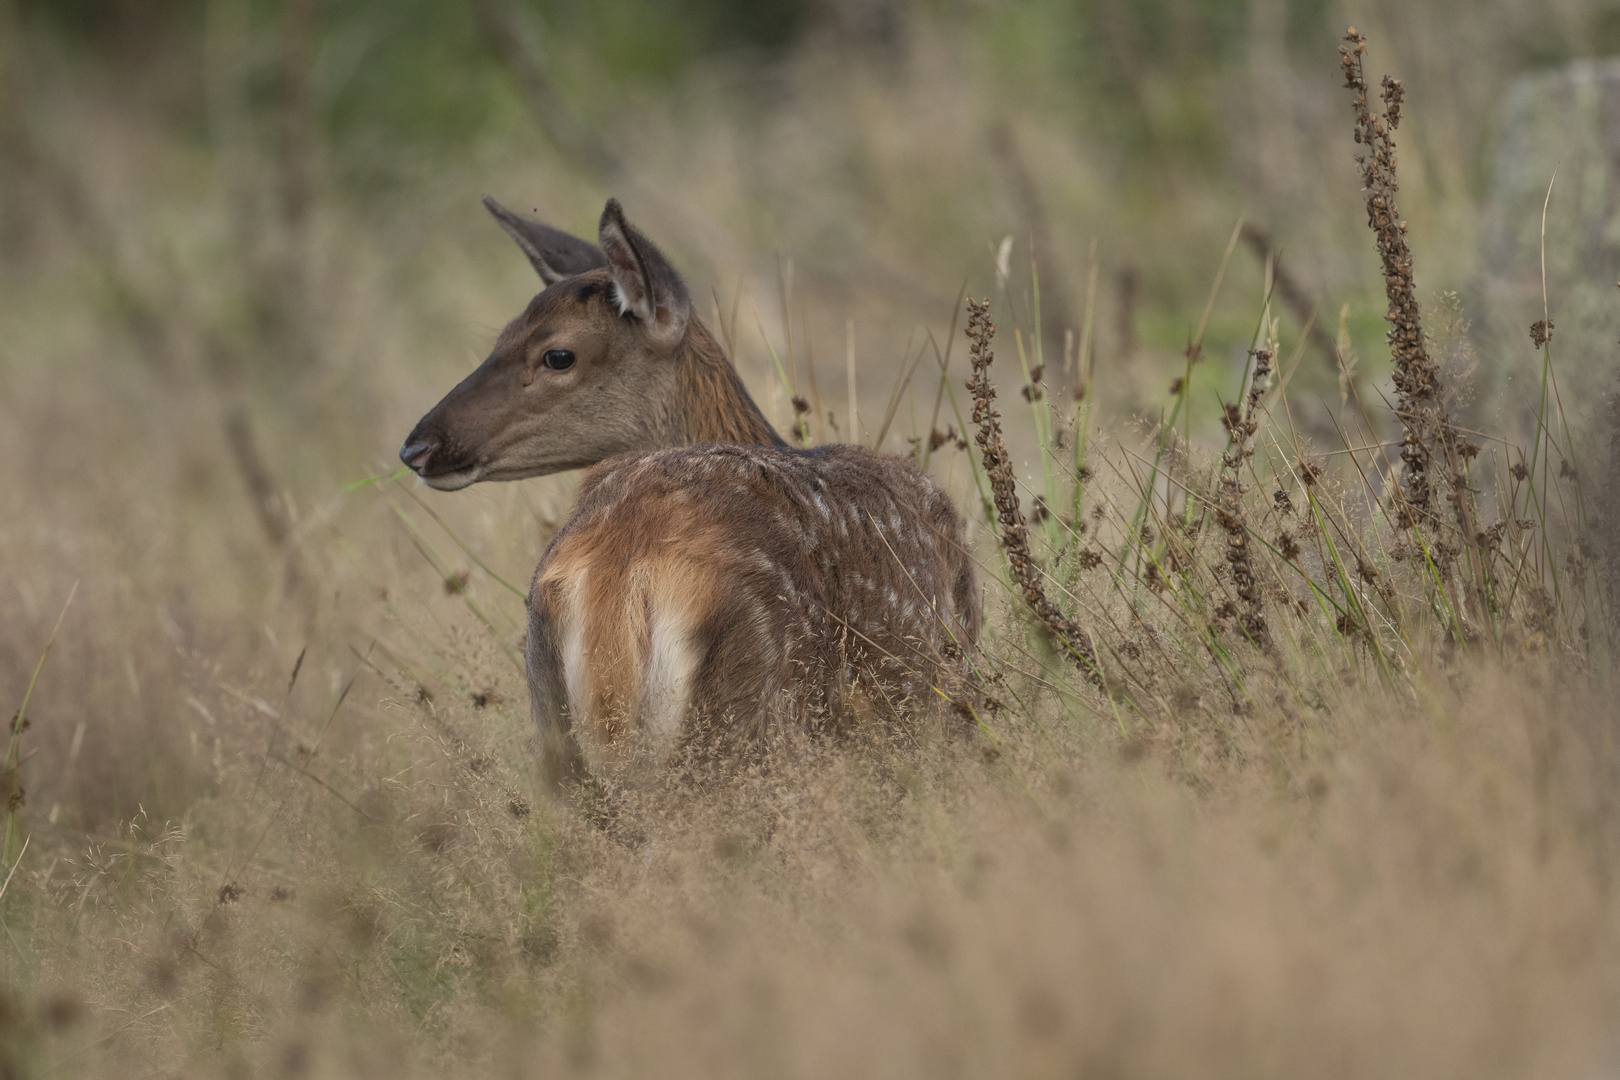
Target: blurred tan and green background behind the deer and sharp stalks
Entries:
(242, 252)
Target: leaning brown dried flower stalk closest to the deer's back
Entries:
(1004, 485)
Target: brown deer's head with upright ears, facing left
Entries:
(592, 368)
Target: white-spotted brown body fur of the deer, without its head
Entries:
(803, 576)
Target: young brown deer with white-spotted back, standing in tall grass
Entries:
(714, 584)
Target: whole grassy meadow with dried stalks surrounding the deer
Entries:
(1297, 752)
